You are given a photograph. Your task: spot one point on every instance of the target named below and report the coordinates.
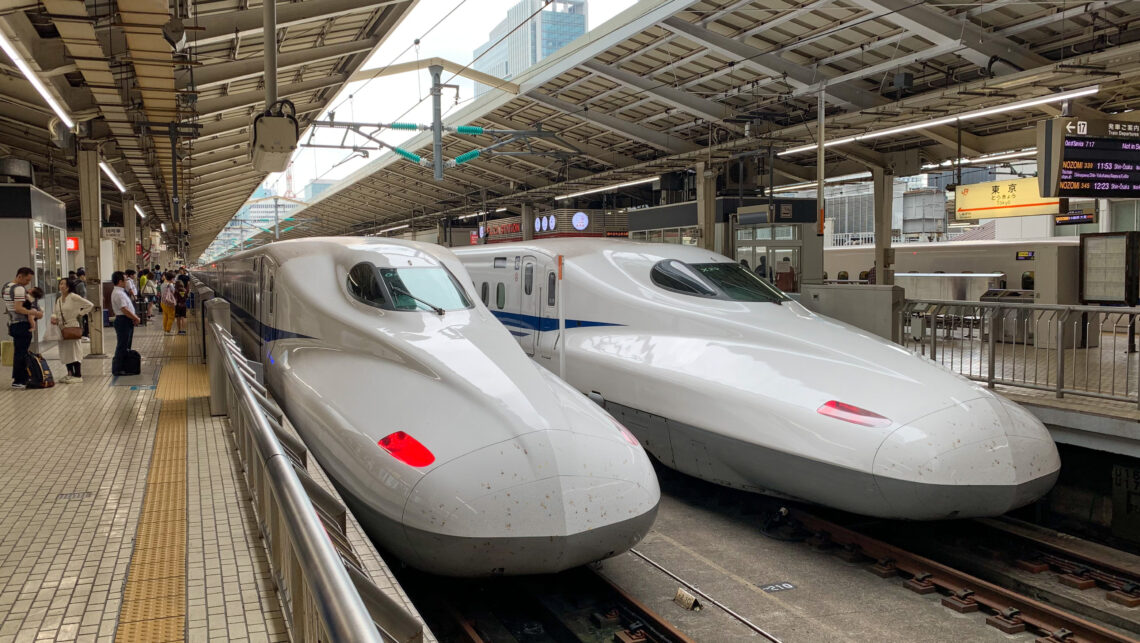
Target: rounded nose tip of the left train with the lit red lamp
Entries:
(530, 507)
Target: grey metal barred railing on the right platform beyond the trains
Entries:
(1082, 351)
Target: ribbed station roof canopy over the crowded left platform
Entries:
(116, 75)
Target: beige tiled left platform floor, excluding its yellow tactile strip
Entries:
(74, 473)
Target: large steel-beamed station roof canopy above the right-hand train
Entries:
(672, 83)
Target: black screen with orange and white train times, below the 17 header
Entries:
(1101, 168)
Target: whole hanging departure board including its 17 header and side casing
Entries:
(1080, 158)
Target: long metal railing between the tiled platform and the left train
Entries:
(324, 590)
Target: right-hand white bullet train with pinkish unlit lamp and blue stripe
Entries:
(724, 378)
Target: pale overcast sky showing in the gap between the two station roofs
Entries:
(405, 97)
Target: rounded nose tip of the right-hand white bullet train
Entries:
(986, 457)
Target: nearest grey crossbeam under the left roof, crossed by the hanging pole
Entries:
(222, 28)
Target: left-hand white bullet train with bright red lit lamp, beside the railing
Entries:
(455, 451)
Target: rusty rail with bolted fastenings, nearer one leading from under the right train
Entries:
(1011, 609)
